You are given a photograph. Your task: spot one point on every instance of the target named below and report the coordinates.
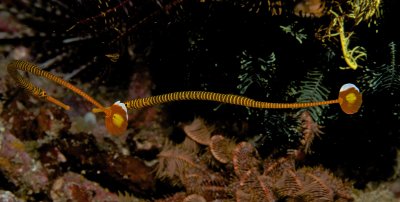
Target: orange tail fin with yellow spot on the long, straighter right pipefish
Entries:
(350, 98)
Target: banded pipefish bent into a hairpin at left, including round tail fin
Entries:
(116, 116)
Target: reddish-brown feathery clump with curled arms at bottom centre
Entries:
(245, 177)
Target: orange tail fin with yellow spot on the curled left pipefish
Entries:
(117, 118)
